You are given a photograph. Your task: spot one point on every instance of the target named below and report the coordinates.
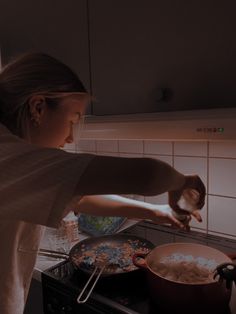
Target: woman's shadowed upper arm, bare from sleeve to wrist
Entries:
(118, 175)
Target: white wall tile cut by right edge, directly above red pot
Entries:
(222, 215)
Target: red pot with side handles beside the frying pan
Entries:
(177, 297)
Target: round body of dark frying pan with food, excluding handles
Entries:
(113, 246)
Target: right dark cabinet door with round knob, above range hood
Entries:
(153, 55)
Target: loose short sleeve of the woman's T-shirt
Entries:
(37, 183)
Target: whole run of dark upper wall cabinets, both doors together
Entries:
(135, 56)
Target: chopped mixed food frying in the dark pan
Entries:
(117, 256)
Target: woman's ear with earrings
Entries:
(37, 107)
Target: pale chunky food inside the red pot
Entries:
(185, 269)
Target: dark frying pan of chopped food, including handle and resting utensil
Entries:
(84, 256)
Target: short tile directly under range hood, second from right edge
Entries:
(190, 148)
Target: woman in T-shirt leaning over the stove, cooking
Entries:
(41, 100)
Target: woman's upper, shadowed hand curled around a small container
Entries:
(192, 182)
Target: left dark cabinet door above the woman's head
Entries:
(55, 27)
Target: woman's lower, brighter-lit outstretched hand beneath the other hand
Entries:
(163, 214)
